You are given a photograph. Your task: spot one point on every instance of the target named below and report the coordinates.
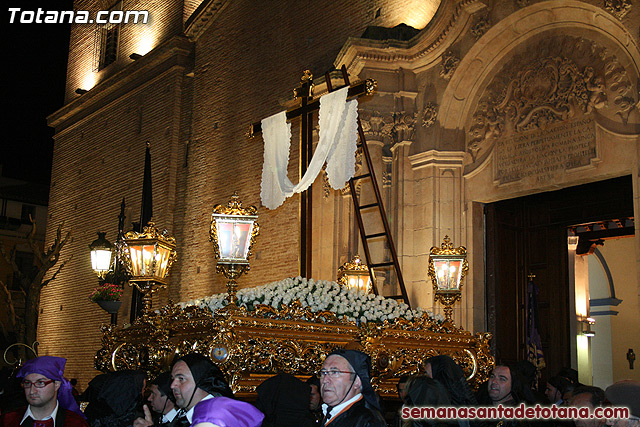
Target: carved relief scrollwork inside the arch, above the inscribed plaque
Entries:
(554, 80)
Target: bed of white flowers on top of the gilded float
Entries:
(319, 295)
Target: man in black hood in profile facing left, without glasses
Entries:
(195, 378)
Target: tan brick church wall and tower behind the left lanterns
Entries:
(246, 65)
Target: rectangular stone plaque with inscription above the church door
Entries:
(539, 155)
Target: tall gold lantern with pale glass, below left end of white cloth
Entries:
(233, 232)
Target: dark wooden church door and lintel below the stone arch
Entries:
(528, 235)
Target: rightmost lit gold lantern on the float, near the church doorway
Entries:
(447, 269)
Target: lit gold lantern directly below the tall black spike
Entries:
(148, 258)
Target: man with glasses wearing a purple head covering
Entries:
(51, 402)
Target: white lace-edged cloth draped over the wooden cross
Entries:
(338, 132)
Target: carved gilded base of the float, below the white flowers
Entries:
(250, 346)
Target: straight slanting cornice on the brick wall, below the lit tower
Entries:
(175, 52)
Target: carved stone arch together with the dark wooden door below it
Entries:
(537, 110)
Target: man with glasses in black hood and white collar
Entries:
(345, 386)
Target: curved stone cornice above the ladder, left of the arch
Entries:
(421, 52)
